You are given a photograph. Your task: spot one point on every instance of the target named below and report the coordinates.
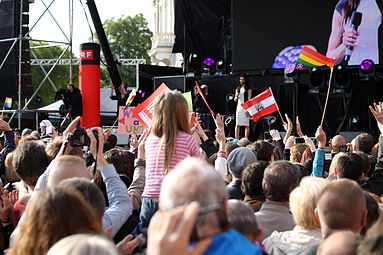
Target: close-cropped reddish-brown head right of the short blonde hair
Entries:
(341, 206)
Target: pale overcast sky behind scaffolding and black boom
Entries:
(47, 29)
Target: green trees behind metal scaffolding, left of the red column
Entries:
(59, 75)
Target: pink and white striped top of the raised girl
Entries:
(185, 146)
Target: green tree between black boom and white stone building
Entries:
(128, 37)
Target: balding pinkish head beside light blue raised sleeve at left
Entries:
(66, 167)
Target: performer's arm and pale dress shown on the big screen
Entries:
(364, 41)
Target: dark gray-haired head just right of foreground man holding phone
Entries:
(241, 217)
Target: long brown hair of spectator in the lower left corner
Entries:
(52, 215)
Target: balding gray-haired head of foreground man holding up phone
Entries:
(192, 180)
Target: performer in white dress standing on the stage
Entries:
(242, 94)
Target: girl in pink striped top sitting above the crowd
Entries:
(169, 142)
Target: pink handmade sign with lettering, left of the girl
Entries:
(128, 123)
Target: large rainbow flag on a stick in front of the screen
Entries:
(311, 58)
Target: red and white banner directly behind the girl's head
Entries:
(144, 111)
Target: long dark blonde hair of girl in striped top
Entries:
(170, 117)
